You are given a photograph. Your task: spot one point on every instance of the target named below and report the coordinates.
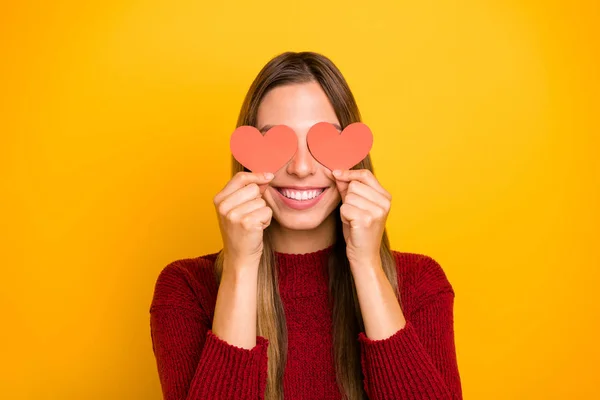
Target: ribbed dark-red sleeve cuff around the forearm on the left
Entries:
(231, 372)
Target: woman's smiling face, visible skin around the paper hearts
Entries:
(303, 193)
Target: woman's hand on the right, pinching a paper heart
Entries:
(366, 205)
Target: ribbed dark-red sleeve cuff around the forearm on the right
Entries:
(399, 367)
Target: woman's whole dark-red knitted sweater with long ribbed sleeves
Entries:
(417, 362)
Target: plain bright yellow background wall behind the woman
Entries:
(115, 120)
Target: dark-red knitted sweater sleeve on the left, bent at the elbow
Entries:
(192, 362)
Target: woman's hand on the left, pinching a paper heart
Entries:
(243, 215)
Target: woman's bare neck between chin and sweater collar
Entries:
(292, 241)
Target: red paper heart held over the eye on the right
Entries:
(337, 150)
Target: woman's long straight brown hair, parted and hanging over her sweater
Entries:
(303, 67)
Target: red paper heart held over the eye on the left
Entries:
(263, 153)
